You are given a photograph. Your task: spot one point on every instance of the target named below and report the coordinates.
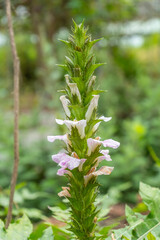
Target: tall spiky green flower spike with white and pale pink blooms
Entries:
(80, 160)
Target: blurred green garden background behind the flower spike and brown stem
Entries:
(131, 49)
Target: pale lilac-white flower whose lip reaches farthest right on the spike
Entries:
(94, 143)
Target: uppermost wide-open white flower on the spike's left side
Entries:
(80, 125)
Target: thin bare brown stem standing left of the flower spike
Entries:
(16, 68)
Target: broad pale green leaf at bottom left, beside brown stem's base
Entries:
(19, 230)
